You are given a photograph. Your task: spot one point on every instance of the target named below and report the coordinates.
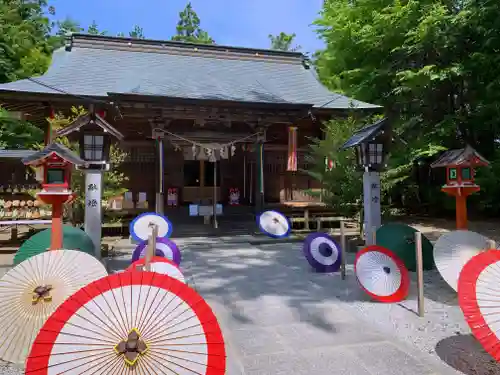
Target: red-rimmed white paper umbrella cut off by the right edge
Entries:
(479, 299)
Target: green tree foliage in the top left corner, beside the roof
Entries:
(24, 39)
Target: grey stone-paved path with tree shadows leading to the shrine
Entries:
(280, 318)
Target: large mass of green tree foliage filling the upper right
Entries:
(433, 65)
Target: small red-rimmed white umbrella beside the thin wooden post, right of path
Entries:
(381, 274)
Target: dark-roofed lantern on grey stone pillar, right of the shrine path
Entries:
(371, 145)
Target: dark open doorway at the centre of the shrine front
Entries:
(199, 181)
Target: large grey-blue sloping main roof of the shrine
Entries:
(98, 65)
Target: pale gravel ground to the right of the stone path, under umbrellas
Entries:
(442, 332)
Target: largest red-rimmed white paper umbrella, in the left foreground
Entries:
(130, 323)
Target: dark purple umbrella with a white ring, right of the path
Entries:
(322, 252)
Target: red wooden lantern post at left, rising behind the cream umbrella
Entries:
(55, 163)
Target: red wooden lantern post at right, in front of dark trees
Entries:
(460, 175)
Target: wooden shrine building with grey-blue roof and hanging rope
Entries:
(241, 116)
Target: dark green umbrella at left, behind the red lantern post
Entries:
(73, 239)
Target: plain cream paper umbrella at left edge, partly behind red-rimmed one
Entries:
(32, 290)
